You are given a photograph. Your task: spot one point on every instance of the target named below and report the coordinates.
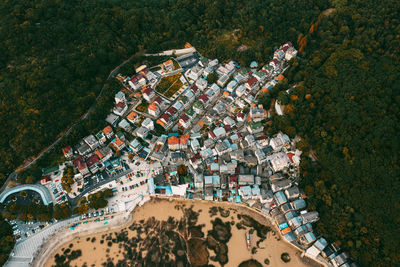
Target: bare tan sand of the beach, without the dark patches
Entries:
(95, 254)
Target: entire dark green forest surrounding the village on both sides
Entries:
(57, 56)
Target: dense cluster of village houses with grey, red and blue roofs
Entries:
(217, 132)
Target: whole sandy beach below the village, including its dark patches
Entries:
(186, 238)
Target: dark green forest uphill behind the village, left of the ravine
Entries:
(56, 56)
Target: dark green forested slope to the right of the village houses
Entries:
(347, 111)
